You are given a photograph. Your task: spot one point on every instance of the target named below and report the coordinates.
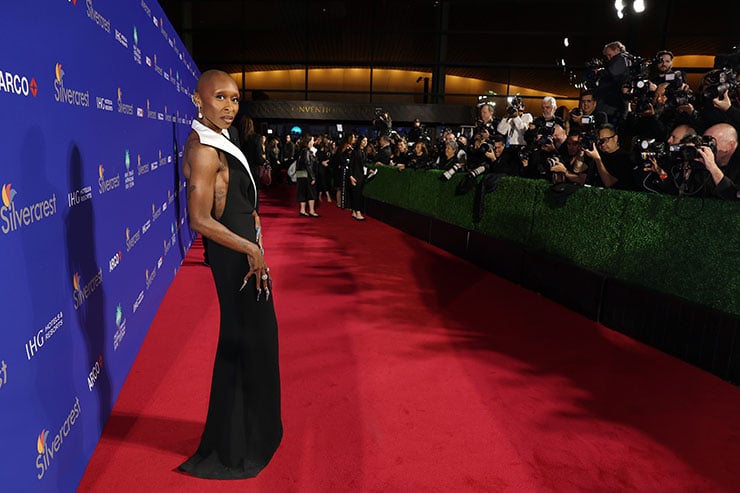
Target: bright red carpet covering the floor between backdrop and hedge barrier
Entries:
(407, 369)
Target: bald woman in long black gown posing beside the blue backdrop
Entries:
(243, 427)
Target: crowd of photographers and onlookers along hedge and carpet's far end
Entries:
(638, 126)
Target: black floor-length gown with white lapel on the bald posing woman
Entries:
(243, 428)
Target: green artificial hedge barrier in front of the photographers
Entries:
(685, 247)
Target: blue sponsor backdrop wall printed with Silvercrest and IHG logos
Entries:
(95, 106)
